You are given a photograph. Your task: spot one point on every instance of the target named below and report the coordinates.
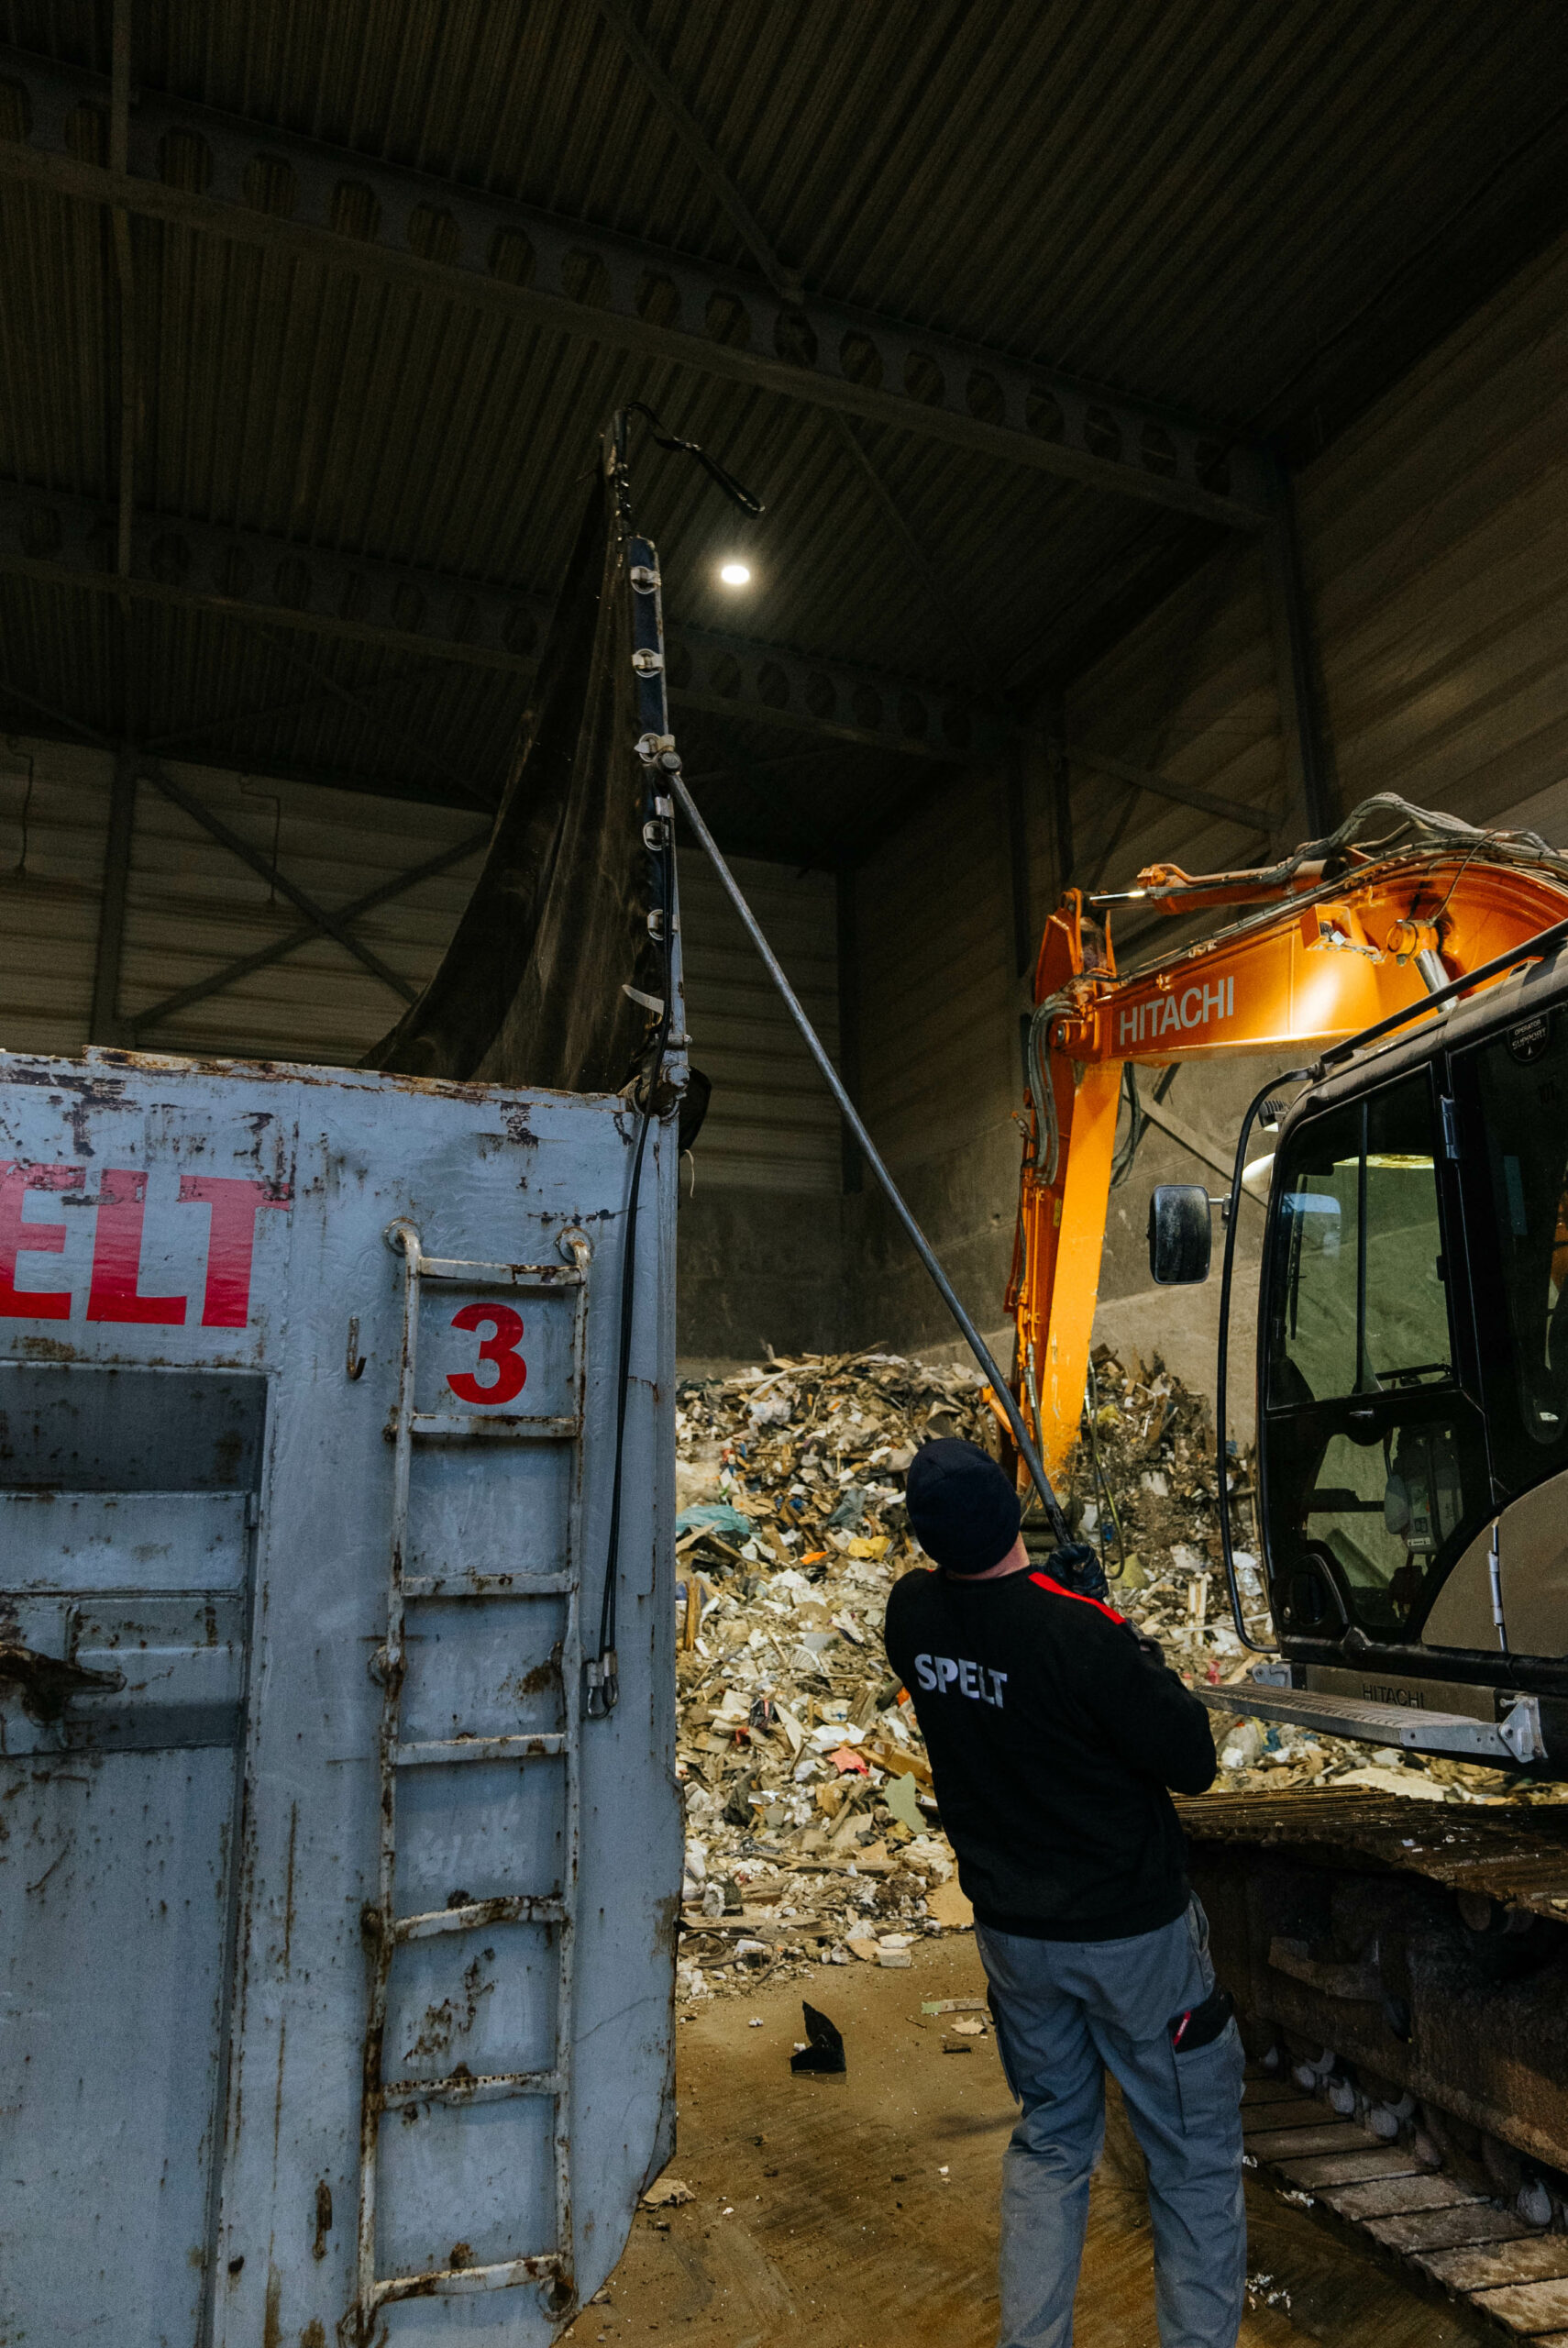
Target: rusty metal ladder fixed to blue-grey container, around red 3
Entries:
(386, 1931)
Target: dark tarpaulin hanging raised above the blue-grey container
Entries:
(529, 990)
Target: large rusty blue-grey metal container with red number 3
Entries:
(337, 1945)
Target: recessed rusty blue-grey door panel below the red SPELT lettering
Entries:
(123, 1612)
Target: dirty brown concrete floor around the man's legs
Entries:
(860, 2213)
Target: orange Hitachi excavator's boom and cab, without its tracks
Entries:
(1414, 1318)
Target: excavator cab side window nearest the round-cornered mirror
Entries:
(1372, 1457)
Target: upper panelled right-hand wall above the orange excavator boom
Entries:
(1435, 546)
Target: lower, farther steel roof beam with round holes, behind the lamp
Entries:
(278, 583)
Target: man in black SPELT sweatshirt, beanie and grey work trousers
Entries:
(1057, 1736)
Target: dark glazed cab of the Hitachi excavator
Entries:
(1414, 1382)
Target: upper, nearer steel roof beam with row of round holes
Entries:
(461, 243)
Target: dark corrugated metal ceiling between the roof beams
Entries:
(1187, 201)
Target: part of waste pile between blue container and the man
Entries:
(809, 1800)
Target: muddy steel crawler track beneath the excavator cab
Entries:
(1403, 1985)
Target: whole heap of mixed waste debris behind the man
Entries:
(811, 1828)
